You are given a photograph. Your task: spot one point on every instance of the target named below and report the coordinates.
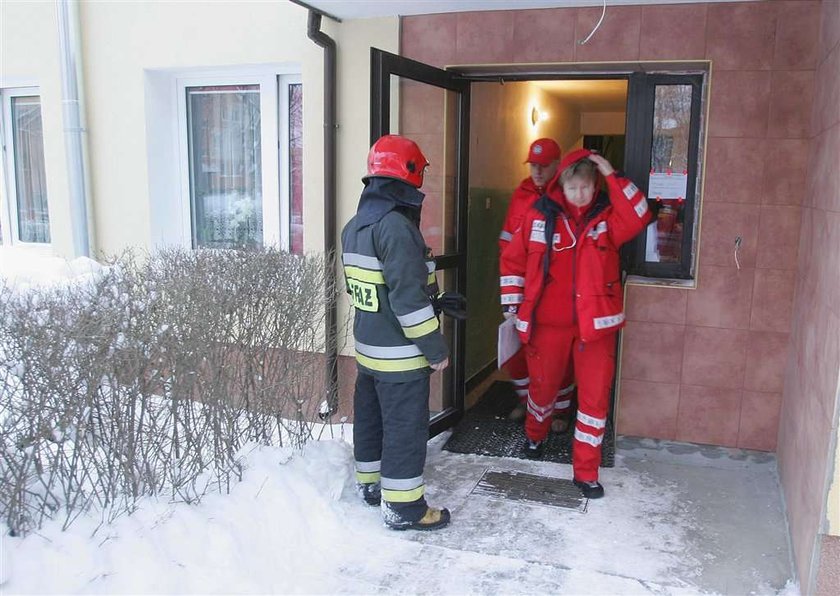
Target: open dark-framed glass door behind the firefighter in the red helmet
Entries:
(431, 106)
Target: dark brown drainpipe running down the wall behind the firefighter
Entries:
(325, 41)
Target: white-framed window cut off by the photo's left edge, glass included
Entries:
(25, 215)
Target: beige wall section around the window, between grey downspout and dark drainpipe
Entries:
(124, 41)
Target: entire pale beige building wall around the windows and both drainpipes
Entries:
(125, 45)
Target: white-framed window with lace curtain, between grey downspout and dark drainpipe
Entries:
(240, 144)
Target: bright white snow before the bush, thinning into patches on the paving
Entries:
(295, 525)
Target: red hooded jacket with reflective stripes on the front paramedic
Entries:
(578, 283)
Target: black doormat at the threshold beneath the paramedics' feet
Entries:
(486, 430)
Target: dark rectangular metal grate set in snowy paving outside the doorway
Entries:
(542, 490)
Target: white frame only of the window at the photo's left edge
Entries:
(8, 200)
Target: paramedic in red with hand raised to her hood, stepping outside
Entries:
(564, 264)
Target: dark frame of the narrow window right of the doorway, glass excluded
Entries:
(640, 110)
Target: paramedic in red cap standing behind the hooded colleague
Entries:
(543, 159)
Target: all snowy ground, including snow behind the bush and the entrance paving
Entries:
(295, 525)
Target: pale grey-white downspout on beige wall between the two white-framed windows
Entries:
(69, 41)
